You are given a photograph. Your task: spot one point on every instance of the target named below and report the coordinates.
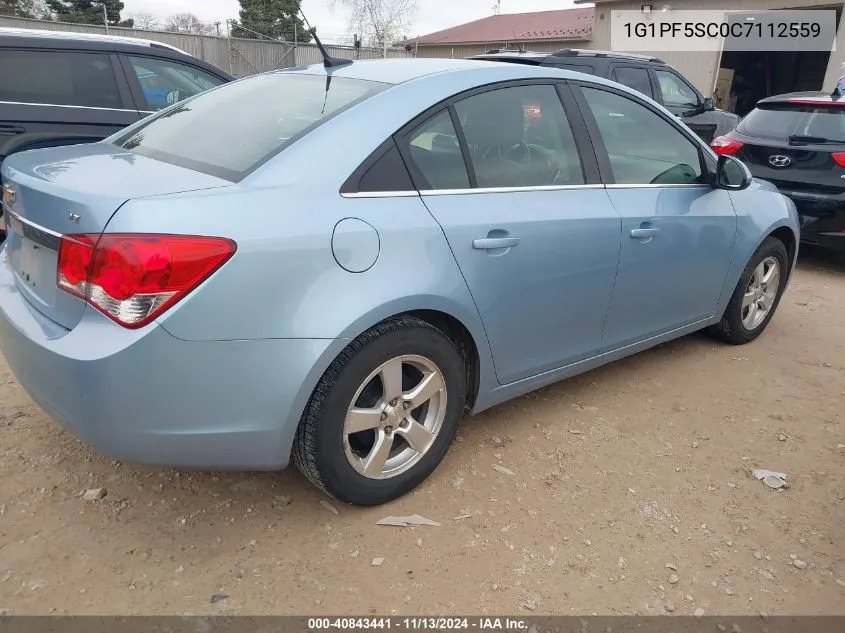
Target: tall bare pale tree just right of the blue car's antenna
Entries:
(379, 21)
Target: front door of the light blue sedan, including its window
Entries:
(678, 232)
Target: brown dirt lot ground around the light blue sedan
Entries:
(631, 493)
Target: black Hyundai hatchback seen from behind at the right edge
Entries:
(796, 141)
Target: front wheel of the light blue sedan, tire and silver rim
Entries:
(737, 326)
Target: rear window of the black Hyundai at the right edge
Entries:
(781, 120)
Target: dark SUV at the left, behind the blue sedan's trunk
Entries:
(59, 88)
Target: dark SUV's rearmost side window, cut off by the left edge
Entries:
(58, 78)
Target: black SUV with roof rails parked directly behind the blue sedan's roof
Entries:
(648, 75)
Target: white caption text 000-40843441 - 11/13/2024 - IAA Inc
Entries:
(417, 624)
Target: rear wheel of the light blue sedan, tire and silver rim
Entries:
(344, 463)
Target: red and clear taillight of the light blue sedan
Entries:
(133, 278)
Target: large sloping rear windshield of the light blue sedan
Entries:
(233, 130)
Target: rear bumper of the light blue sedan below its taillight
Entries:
(144, 396)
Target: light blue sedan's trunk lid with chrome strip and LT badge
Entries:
(71, 190)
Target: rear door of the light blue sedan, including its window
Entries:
(514, 184)
